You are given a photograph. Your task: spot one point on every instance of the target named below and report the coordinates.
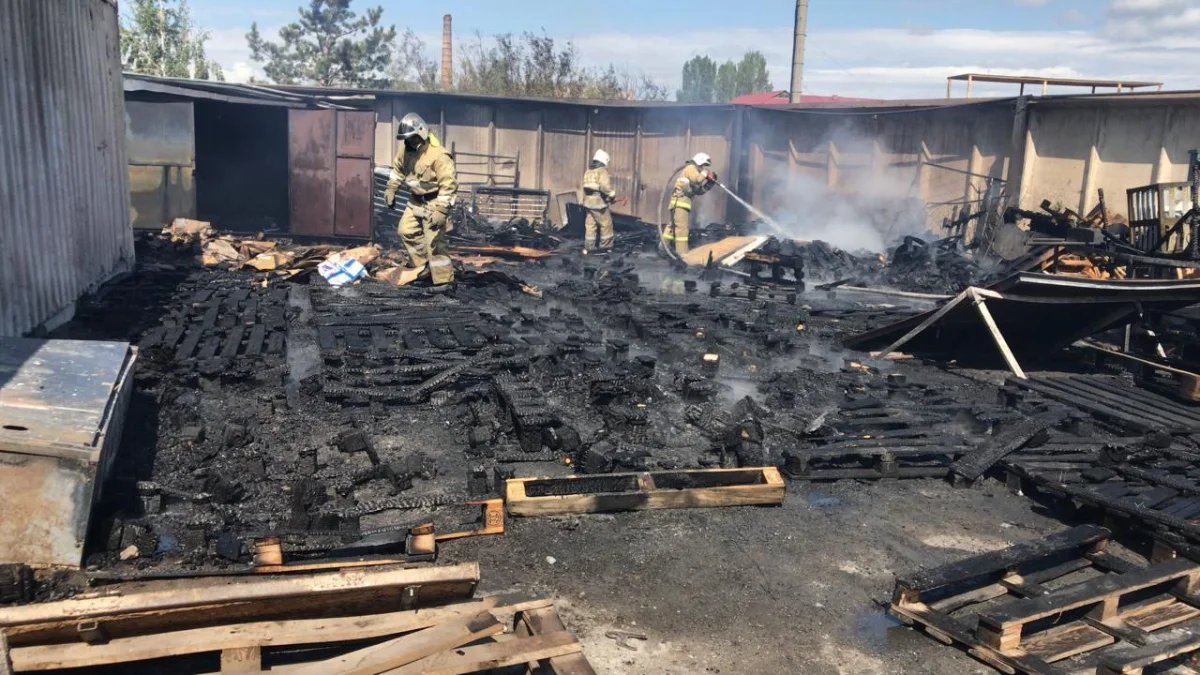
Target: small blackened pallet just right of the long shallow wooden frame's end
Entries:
(895, 459)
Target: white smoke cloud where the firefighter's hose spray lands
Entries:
(867, 210)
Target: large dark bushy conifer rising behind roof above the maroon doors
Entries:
(331, 46)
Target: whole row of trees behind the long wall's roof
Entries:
(331, 45)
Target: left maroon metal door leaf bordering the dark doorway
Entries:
(313, 171)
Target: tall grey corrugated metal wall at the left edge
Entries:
(64, 180)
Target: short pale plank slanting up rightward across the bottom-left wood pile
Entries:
(407, 649)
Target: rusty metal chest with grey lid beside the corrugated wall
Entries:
(62, 409)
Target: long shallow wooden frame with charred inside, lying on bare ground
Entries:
(640, 492)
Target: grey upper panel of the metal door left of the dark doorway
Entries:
(160, 134)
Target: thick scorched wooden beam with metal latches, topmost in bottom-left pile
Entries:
(125, 612)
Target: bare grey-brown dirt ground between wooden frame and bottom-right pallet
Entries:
(795, 589)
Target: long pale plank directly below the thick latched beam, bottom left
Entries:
(266, 635)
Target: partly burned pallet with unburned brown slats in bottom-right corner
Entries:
(1058, 605)
